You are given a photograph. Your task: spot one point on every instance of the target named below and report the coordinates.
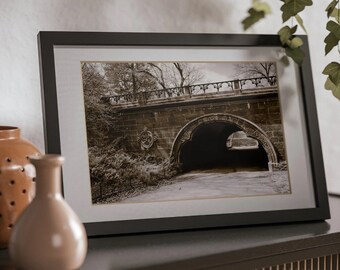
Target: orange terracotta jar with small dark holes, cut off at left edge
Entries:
(16, 178)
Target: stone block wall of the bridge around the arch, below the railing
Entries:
(165, 121)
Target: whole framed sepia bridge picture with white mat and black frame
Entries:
(165, 131)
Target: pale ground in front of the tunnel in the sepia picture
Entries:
(212, 184)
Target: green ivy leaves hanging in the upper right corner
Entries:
(292, 44)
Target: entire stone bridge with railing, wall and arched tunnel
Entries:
(194, 126)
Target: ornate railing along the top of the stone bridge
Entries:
(230, 88)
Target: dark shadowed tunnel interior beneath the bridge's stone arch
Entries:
(208, 150)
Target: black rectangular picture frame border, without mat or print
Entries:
(48, 41)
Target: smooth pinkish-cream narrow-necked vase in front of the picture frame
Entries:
(48, 234)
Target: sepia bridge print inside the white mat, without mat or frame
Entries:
(167, 131)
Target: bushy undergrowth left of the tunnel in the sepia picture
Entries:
(116, 175)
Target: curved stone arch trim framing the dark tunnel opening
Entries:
(251, 129)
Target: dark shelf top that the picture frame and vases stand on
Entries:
(201, 249)
